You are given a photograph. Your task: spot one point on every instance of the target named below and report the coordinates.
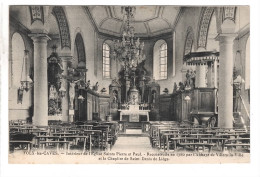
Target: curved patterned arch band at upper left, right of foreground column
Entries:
(63, 26)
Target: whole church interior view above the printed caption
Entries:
(115, 78)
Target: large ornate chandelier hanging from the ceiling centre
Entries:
(129, 52)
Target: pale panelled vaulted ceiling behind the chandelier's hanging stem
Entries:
(148, 20)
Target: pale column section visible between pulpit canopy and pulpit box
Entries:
(200, 76)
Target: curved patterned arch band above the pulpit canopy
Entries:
(204, 26)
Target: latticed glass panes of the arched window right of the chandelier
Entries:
(163, 61)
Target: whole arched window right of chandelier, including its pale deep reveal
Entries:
(160, 60)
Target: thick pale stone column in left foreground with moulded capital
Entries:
(40, 112)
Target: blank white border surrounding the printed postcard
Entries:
(201, 170)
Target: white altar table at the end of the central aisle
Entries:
(134, 113)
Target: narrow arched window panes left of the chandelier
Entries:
(106, 61)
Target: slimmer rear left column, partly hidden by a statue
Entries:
(65, 99)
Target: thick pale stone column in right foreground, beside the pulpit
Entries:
(225, 96)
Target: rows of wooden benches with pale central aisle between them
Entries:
(155, 136)
